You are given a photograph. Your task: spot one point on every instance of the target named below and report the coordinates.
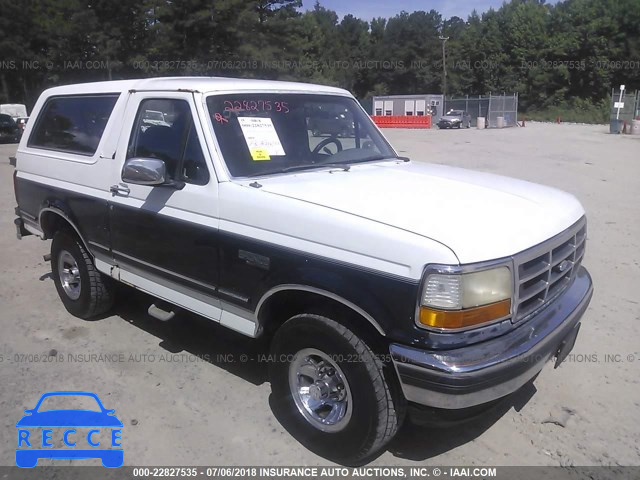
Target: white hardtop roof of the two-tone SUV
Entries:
(199, 84)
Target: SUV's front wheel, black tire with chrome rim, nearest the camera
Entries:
(332, 390)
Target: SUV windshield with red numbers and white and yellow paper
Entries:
(262, 134)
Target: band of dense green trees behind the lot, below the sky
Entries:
(570, 53)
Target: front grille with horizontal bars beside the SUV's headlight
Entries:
(543, 272)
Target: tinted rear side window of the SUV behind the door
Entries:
(73, 123)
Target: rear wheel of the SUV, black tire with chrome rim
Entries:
(84, 291)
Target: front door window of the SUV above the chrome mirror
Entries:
(164, 129)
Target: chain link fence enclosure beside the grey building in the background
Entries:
(490, 107)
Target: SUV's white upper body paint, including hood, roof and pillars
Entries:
(390, 216)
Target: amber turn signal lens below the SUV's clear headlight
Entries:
(434, 318)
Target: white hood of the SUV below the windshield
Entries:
(479, 216)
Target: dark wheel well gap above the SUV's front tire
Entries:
(281, 306)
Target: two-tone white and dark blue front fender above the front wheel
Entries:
(269, 240)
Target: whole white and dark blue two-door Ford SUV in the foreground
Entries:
(382, 285)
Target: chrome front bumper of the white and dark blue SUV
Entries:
(486, 371)
